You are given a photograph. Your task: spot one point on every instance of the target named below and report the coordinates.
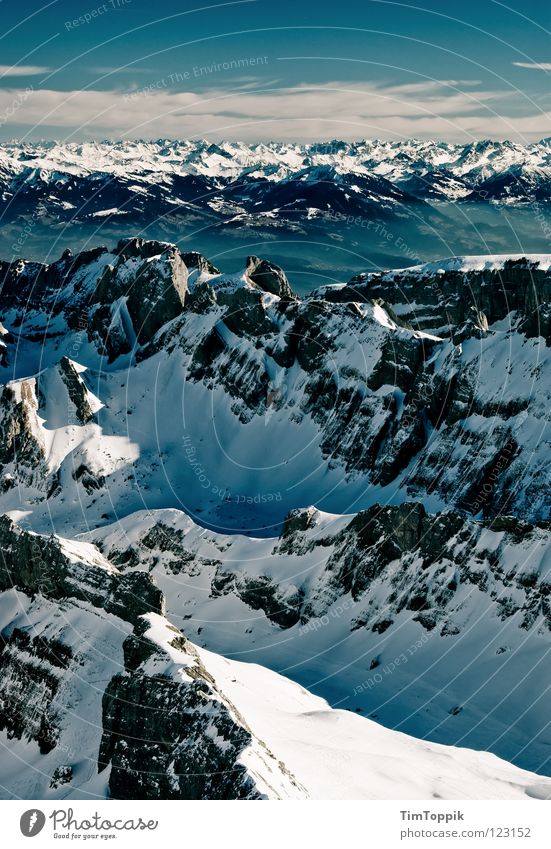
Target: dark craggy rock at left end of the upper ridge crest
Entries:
(132, 293)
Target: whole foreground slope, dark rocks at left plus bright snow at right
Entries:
(98, 697)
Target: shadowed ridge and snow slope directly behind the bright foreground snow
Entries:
(430, 623)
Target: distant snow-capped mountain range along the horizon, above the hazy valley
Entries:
(135, 181)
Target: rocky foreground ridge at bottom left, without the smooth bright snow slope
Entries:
(104, 695)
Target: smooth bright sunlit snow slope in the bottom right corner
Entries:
(336, 754)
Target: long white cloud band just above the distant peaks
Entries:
(436, 109)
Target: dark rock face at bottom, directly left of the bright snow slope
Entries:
(168, 739)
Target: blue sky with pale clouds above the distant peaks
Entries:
(259, 70)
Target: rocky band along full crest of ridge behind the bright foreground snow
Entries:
(423, 560)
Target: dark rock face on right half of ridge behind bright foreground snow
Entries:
(423, 560)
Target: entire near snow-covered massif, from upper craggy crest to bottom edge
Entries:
(350, 488)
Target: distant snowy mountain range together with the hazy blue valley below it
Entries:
(322, 211)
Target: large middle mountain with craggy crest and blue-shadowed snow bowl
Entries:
(378, 391)
